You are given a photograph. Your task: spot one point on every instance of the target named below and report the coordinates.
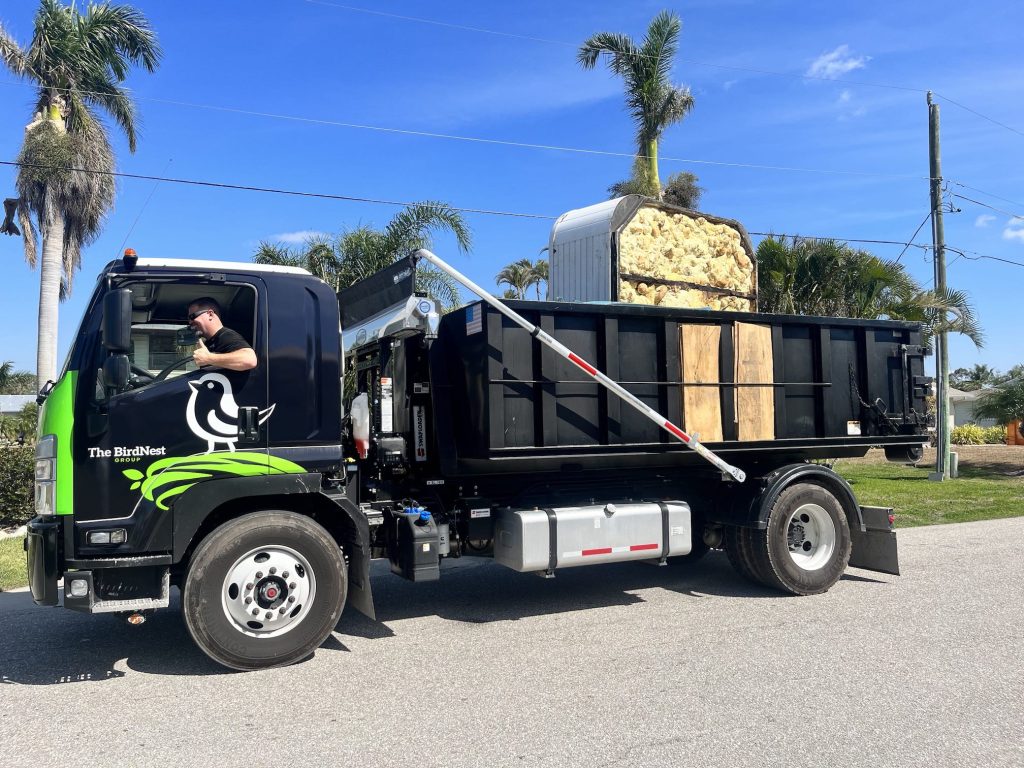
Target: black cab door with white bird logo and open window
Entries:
(175, 425)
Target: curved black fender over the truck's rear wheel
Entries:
(749, 504)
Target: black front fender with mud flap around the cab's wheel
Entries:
(195, 507)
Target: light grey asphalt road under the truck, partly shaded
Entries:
(627, 665)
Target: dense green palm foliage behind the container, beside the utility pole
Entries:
(830, 279)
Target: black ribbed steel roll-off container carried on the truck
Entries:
(503, 403)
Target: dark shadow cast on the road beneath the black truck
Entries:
(56, 647)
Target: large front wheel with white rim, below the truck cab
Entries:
(268, 563)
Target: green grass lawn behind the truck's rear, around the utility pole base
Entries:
(976, 495)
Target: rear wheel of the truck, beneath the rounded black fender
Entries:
(806, 545)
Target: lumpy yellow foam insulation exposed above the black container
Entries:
(676, 247)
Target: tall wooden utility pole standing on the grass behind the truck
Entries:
(942, 351)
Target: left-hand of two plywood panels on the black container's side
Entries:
(702, 406)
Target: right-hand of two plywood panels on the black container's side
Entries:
(755, 406)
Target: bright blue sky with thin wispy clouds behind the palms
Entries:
(328, 64)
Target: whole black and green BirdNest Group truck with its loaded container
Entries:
(375, 428)
